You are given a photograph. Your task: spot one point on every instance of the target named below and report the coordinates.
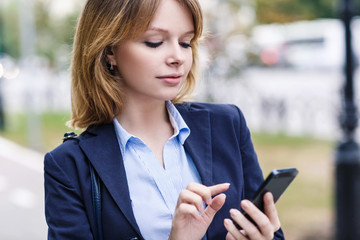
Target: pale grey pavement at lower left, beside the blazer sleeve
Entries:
(21, 193)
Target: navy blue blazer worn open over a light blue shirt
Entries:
(219, 144)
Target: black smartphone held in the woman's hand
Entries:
(276, 183)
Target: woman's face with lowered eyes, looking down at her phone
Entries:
(155, 65)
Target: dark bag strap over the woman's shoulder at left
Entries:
(95, 192)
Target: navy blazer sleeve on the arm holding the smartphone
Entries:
(252, 172)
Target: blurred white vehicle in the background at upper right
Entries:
(317, 44)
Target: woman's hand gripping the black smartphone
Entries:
(267, 223)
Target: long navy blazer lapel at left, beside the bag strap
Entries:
(104, 154)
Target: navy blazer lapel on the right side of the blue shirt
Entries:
(198, 144)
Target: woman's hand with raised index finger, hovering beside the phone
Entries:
(191, 220)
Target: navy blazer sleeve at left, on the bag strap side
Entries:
(64, 209)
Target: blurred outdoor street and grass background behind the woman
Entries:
(281, 62)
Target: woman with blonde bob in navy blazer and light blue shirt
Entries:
(168, 169)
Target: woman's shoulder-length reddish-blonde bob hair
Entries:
(96, 92)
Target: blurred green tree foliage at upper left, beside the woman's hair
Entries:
(54, 35)
